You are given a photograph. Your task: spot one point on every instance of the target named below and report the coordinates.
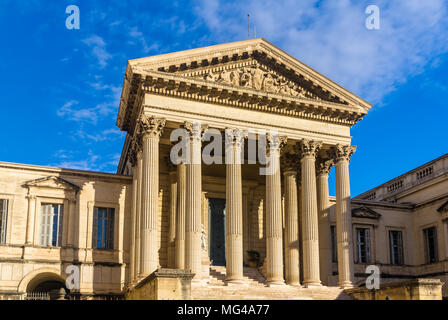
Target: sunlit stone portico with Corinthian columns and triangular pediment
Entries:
(245, 91)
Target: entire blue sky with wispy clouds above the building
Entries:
(60, 88)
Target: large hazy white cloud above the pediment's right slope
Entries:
(331, 37)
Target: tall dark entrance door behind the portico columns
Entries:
(217, 230)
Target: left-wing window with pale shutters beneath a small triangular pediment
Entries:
(51, 225)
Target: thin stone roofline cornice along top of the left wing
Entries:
(31, 167)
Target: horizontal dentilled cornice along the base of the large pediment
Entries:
(172, 85)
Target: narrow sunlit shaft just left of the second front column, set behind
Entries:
(180, 217)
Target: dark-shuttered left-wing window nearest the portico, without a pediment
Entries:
(103, 228)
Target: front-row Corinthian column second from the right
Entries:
(310, 226)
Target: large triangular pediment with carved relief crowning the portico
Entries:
(252, 64)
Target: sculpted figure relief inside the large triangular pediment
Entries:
(256, 77)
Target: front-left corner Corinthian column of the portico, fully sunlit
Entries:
(150, 129)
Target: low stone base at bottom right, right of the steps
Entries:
(416, 289)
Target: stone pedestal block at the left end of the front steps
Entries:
(163, 284)
